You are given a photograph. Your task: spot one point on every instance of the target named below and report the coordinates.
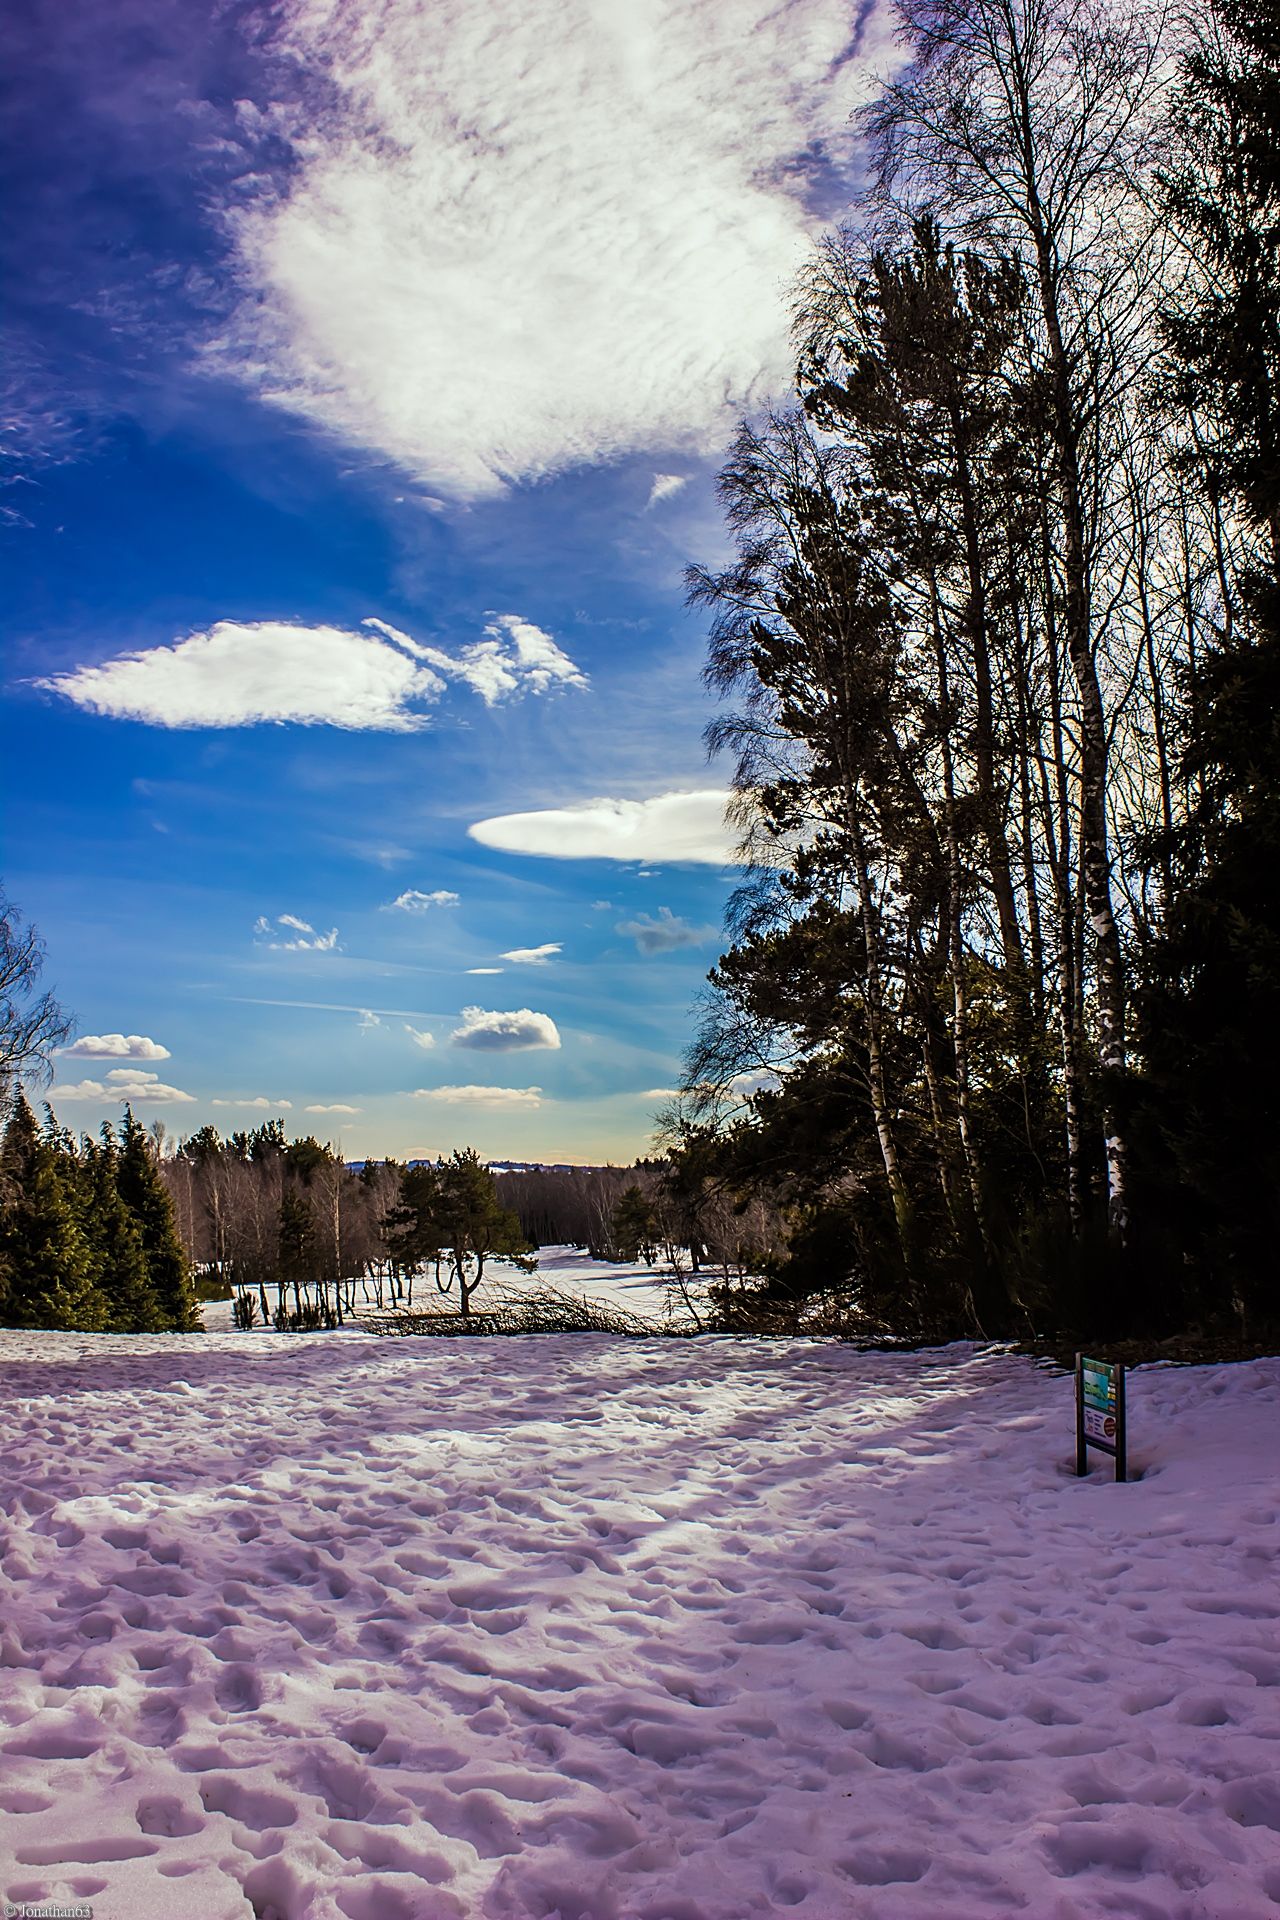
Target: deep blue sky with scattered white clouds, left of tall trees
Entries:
(369, 366)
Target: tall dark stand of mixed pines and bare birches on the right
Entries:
(1005, 636)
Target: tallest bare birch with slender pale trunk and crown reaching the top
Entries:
(1028, 126)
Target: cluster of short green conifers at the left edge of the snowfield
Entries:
(87, 1232)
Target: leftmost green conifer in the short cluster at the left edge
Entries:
(47, 1272)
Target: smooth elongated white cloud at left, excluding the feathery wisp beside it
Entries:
(260, 671)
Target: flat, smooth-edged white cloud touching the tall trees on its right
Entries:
(671, 827)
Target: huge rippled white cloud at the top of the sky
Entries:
(527, 237)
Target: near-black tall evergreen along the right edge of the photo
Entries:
(1210, 1009)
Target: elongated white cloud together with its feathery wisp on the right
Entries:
(275, 671)
